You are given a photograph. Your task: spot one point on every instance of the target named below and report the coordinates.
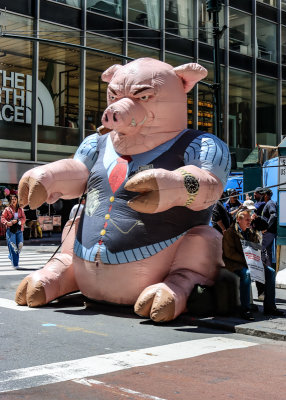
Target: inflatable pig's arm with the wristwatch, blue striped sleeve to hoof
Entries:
(207, 160)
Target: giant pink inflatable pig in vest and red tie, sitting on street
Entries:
(143, 238)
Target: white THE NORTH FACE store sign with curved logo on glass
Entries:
(16, 99)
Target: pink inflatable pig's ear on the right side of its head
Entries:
(190, 74)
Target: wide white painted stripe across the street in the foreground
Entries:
(102, 364)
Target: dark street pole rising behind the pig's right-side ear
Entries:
(213, 8)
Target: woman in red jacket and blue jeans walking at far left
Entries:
(13, 217)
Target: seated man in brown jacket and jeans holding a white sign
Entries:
(234, 260)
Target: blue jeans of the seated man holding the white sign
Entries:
(245, 287)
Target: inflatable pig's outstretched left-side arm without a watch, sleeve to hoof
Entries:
(61, 179)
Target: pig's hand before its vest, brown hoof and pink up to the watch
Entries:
(159, 190)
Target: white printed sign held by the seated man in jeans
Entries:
(252, 254)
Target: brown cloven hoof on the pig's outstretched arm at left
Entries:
(31, 189)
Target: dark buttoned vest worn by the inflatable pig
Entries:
(125, 228)
